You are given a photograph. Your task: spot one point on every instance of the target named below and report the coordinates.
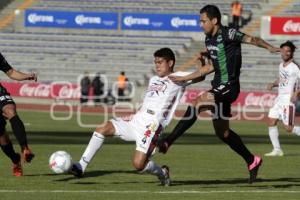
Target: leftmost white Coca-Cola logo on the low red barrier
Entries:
(40, 90)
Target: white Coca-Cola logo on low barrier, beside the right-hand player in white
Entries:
(265, 100)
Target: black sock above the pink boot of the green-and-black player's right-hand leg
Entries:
(236, 144)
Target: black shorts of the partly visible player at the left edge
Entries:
(5, 99)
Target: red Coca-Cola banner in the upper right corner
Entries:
(285, 26)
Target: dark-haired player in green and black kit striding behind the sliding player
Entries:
(223, 54)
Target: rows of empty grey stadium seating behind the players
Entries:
(60, 54)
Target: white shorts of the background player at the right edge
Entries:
(283, 112)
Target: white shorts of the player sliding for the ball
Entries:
(142, 128)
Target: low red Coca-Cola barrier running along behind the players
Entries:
(65, 90)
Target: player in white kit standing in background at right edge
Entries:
(288, 92)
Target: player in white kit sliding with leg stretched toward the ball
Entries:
(144, 127)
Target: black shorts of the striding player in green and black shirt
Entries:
(225, 95)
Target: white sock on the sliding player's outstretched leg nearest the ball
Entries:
(94, 145)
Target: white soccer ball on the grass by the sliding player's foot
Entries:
(60, 162)
